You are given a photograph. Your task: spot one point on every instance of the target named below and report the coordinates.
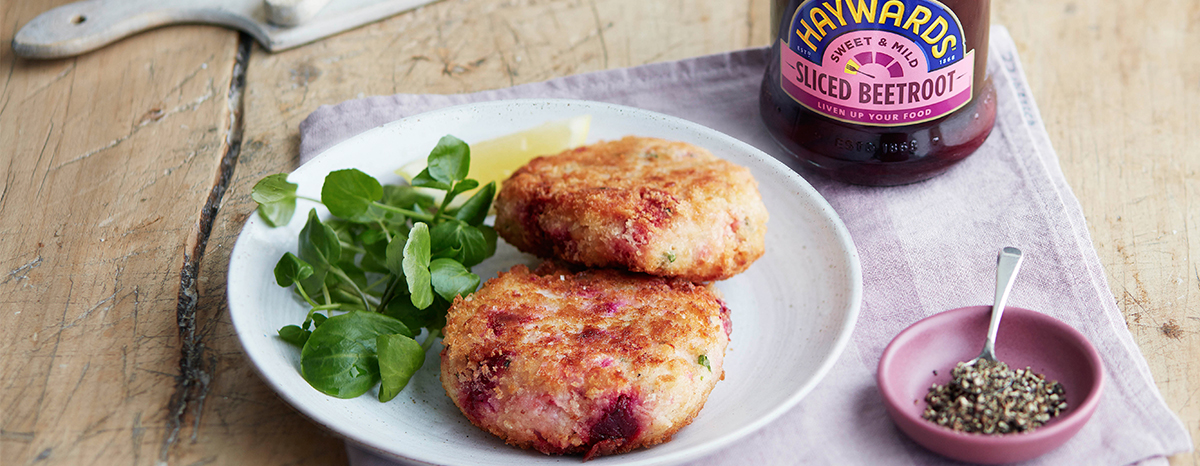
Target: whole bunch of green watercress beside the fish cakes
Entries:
(388, 265)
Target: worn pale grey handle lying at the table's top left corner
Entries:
(87, 26)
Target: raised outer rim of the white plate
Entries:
(827, 213)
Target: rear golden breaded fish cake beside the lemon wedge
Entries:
(652, 206)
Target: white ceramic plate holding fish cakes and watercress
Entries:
(793, 312)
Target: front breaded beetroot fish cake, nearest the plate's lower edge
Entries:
(596, 362)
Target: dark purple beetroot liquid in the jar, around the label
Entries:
(883, 156)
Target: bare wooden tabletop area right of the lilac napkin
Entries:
(1121, 101)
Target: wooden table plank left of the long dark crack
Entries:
(106, 160)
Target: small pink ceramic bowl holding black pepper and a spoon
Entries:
(1025, 339)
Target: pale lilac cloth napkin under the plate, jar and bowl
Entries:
(913, 242)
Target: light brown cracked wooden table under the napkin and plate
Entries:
(127, 175)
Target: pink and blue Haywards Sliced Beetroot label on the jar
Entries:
(877, 63)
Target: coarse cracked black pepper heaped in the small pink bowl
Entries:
(991, 398)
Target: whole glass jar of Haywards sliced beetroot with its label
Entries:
(879, 93)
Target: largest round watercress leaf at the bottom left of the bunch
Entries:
(340, 357)
